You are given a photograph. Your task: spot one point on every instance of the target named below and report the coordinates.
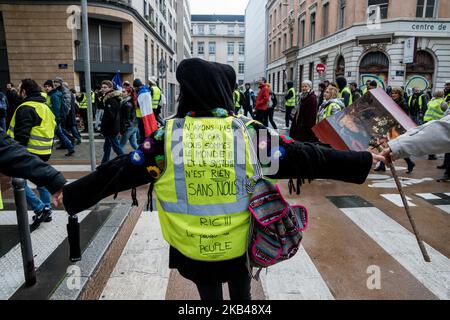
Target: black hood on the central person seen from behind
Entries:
(204, 86)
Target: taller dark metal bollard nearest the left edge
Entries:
(24, 231)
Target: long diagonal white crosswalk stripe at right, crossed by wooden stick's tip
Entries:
(402, 246)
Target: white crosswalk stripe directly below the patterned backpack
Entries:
(295, 279)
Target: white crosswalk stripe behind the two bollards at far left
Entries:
(44, 241)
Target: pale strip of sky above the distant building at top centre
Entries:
(218, 6)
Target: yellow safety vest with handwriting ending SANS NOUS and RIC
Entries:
(202, 198)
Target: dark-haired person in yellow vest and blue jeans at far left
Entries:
(33, 126)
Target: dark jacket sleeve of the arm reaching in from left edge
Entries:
(16, 161)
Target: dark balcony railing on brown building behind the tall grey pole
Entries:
(103, 53)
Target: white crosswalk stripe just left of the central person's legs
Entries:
(142, 271)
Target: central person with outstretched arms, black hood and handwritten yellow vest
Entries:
(201, 165)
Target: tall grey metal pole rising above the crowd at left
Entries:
(87, 81)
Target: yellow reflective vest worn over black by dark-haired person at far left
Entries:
(41, 137)
